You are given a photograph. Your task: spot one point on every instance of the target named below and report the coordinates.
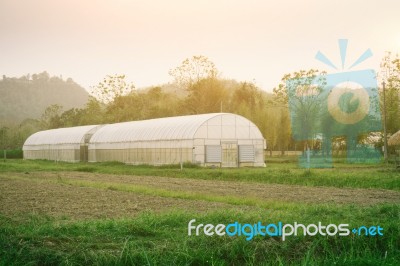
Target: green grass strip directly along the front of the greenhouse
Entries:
(342, 175)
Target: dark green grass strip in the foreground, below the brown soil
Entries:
(162, 239)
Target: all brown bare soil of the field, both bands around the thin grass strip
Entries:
(39, 192)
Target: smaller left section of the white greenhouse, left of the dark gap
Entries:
(62, 144)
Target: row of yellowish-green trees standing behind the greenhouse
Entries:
(197, 88)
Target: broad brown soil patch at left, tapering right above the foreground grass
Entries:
(28, 196)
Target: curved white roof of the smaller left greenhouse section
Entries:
(71, 135)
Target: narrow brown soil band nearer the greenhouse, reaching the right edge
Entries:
(286, 193)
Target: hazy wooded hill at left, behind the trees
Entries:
(28, 96)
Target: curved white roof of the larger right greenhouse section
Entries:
(178, 128)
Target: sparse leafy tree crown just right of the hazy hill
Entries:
(111, 87)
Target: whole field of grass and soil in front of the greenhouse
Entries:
(115, 214)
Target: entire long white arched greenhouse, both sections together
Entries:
(217, 139)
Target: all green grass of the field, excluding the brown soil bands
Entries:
(161, 238)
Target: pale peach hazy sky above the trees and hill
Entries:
(249, 40)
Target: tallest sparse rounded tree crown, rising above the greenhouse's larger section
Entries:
(192, 70)
